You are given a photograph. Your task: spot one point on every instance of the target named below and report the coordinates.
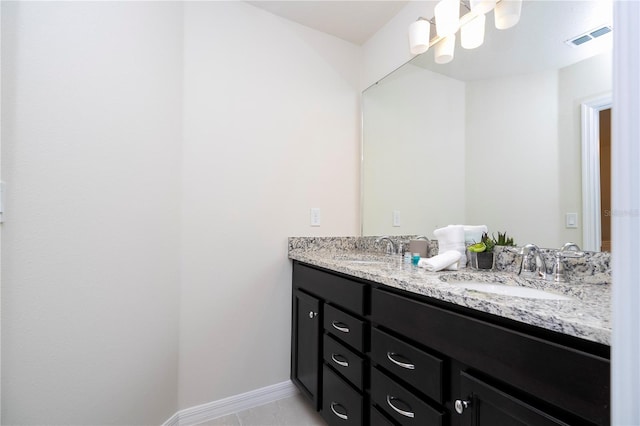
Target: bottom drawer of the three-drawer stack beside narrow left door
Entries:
(341, 404)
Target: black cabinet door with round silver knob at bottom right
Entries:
(486, 405)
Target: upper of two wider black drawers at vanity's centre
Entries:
(416, 367)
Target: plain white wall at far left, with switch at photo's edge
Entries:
(91, 111)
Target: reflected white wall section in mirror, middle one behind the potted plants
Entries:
(511, 156)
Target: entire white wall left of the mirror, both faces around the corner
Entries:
(155, 165)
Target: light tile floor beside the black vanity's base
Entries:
(293, 411)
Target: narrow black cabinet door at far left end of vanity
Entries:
(305, 357)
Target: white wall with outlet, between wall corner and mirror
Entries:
(271, 129)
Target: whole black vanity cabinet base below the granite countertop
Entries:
(385, 356)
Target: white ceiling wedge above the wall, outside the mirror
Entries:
(353, 21)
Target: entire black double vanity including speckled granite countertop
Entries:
(377, 341)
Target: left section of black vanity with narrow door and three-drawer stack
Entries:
(329, 337)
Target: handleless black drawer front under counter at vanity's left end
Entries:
(333, 288)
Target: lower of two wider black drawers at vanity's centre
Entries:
(403, 406)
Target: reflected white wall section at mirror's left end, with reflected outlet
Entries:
(415, 152)
